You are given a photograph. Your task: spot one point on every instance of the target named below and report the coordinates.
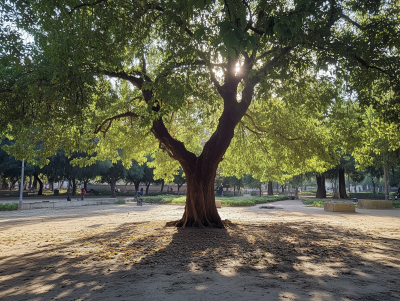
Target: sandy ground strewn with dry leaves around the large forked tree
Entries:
(286, 251)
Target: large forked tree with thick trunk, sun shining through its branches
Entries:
(197, 68)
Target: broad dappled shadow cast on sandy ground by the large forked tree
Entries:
(147, 261)
